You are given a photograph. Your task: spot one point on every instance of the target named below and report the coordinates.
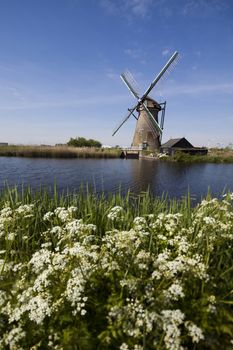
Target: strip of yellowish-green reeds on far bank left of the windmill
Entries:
(57, 152)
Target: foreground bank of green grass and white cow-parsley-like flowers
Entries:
(129, 273)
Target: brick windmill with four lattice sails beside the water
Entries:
(148, 132)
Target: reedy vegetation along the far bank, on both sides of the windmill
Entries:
(214, 155)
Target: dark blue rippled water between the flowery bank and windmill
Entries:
(174, 179)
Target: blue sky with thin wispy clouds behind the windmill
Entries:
(60, 62)
